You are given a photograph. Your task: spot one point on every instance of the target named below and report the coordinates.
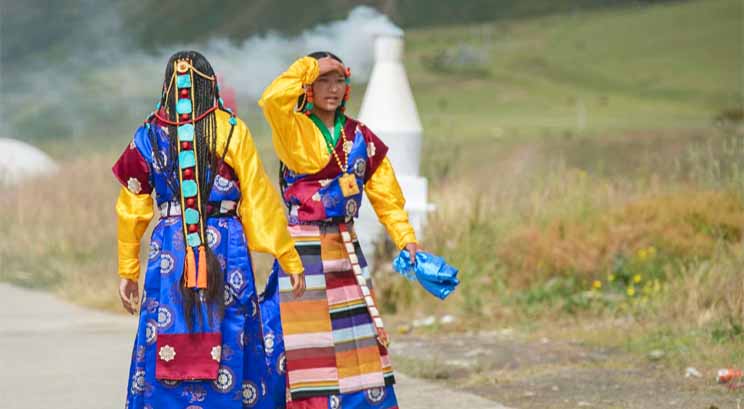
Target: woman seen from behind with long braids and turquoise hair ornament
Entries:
(199, 344)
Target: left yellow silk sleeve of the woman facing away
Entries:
(134, 212)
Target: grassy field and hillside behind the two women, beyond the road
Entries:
(577, 172)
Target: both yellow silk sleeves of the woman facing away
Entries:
(261, 209)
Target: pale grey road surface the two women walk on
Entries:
(57, 355)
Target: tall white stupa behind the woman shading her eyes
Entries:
(389, 110)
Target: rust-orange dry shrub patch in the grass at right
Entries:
(682, 225)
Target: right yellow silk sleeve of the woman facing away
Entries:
(261, 209)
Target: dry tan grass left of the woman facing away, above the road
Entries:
(61, 232)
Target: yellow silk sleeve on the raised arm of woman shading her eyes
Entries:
(297, 140)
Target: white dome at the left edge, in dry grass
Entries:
(19, 160)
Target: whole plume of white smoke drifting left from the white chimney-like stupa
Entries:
(113, 84)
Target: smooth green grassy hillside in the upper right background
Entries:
(665, 66)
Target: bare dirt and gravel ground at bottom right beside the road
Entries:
(545, 373)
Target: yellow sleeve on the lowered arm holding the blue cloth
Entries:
(387, 199)
